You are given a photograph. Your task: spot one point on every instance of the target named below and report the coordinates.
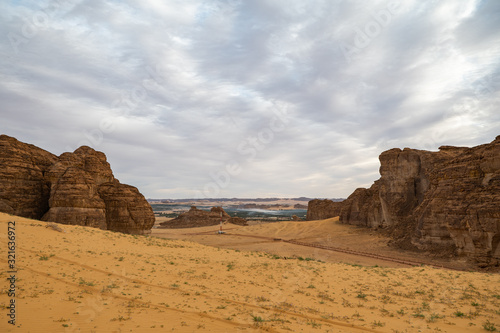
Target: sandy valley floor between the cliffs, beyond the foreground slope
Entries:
(326, 232)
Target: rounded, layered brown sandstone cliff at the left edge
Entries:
(75, 188)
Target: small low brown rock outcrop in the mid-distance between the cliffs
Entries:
(201, 218)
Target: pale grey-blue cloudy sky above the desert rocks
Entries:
(249, 98)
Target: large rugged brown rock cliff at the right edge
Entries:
(445, 200)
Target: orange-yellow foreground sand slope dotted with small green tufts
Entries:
(90, 280)
